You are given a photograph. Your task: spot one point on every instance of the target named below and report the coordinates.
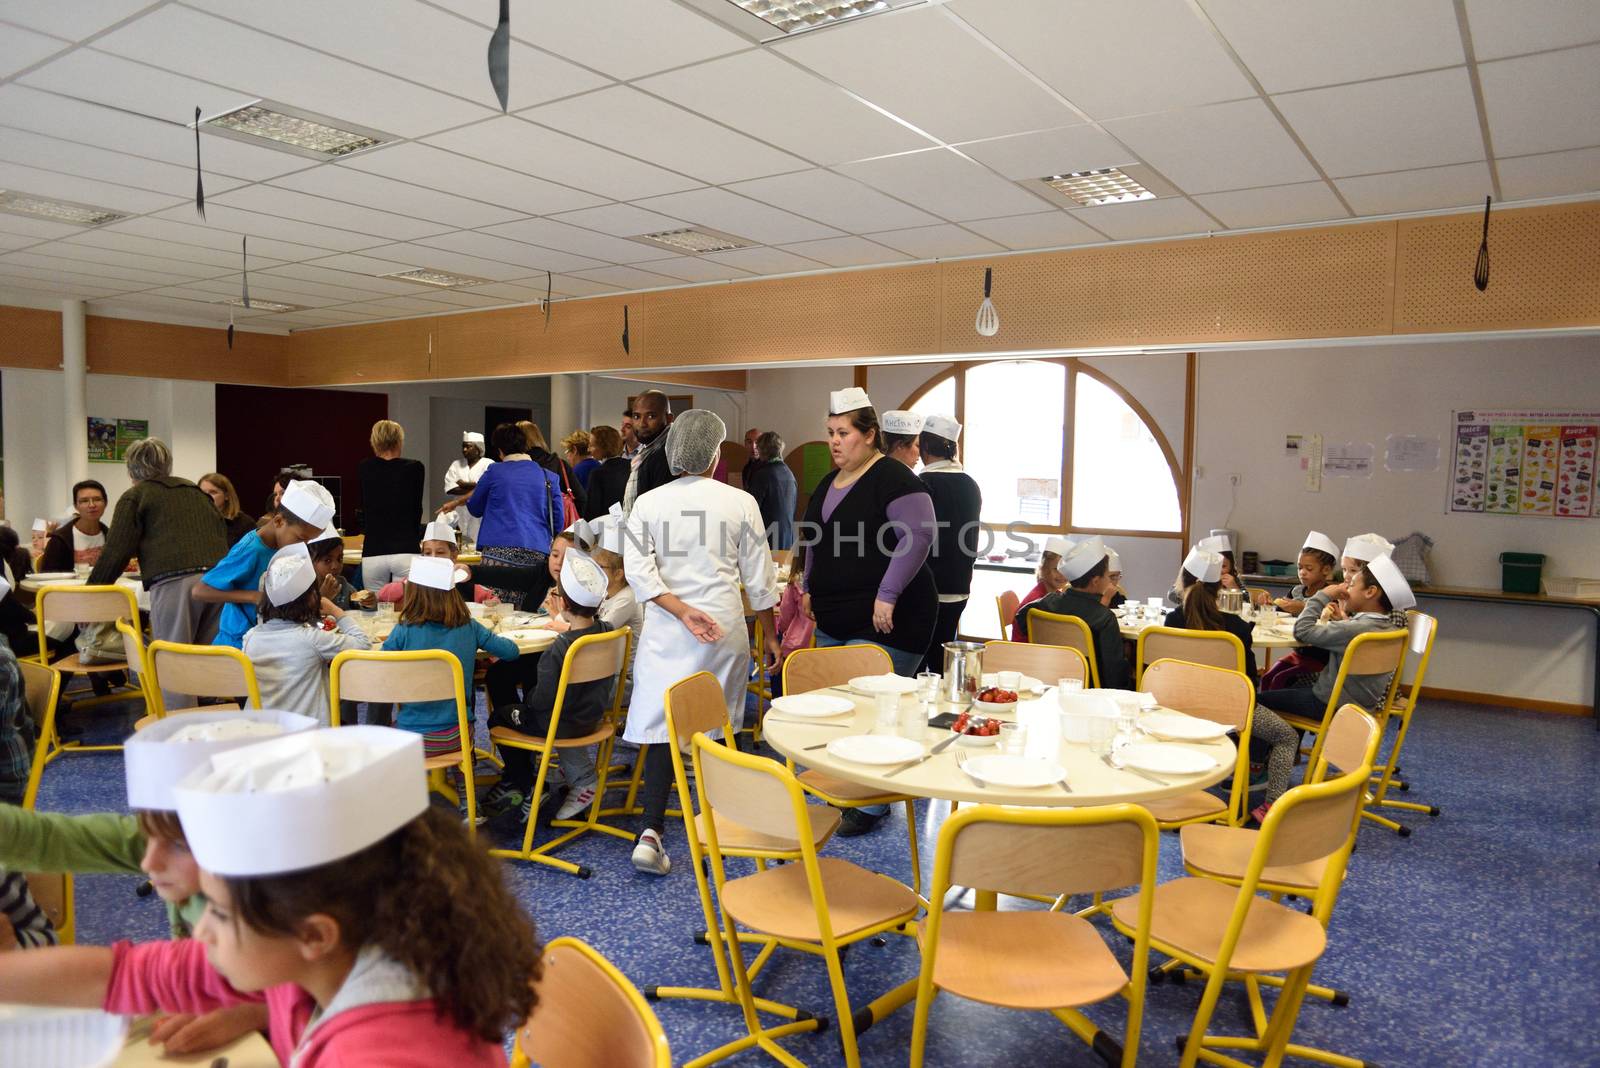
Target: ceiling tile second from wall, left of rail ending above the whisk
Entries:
(1393, 126)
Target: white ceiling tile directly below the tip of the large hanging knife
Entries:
(510, 141)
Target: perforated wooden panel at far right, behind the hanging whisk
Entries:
(1545, 271)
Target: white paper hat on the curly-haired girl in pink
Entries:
(303, 800)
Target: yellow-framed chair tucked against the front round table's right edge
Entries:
(1222, 696)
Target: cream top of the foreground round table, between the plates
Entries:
(1092, 781)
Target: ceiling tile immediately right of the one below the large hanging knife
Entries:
(663, 133)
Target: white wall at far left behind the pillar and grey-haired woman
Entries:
(36, 476)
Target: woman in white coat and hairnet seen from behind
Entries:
(687, 549)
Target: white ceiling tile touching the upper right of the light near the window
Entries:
(1218, 146)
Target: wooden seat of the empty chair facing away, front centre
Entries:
(1025, 960)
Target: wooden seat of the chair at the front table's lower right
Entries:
(1191, 915)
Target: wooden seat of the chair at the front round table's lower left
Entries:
(778, 901)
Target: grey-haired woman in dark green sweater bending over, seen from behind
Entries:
(177, 533)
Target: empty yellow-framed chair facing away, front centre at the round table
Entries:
(1039, 960)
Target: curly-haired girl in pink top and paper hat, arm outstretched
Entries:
(380, 938)
